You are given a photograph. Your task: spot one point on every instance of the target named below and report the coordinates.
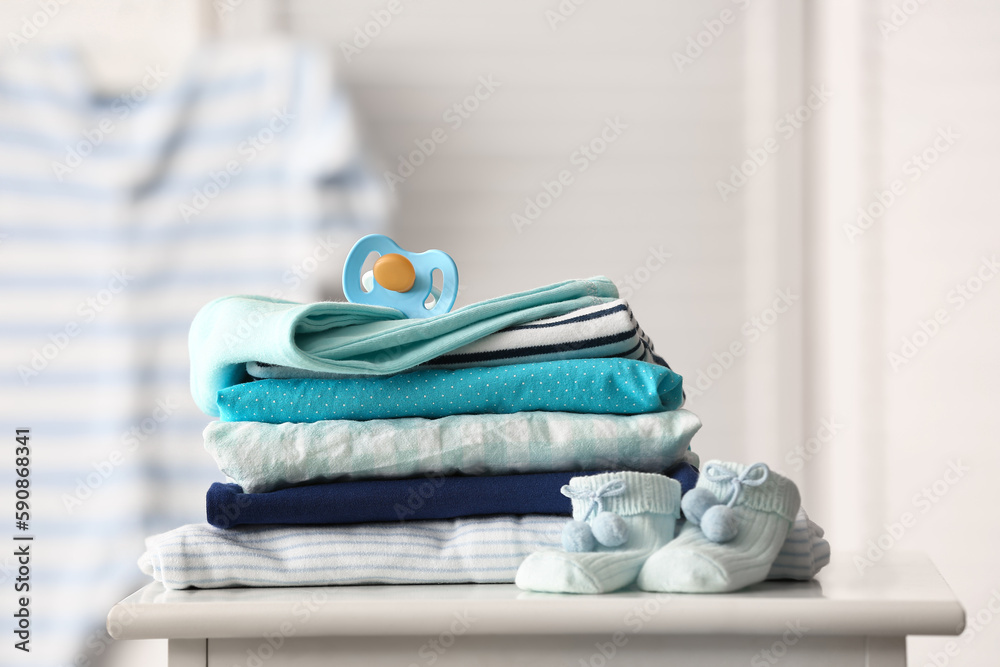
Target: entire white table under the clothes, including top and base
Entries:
(842, 618)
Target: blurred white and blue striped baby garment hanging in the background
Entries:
(120, 216)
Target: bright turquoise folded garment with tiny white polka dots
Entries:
(595, 386)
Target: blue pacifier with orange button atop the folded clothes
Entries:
(400, 279)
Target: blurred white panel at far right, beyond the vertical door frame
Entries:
(942, 70)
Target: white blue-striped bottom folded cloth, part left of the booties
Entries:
(484, 550)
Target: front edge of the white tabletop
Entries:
(746, 616)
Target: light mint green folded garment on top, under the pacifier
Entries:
(352, 338)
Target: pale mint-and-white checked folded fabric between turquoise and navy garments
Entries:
(263, 457)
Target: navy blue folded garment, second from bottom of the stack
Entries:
(402, 499)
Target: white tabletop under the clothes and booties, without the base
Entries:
(901, 595)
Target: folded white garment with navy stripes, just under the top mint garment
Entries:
(606, 330)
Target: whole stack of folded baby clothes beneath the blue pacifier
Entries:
(364, 447)
